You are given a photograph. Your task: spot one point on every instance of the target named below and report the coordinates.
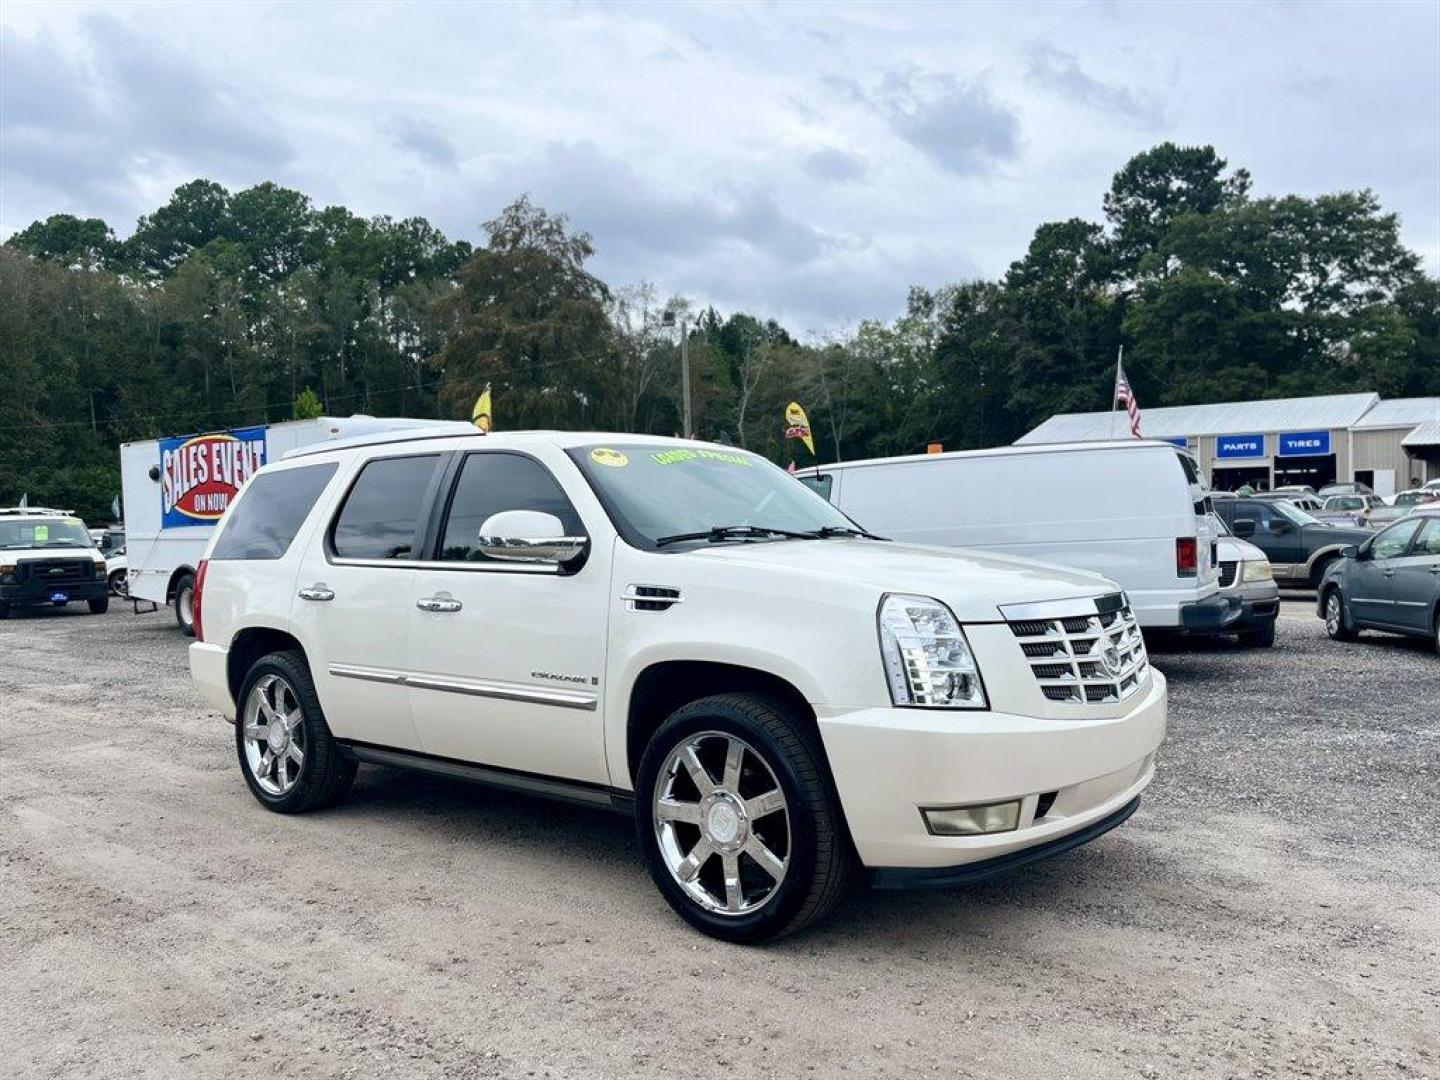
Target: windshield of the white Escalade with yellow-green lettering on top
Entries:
(654, 492)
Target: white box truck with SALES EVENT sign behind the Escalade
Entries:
(178, 489)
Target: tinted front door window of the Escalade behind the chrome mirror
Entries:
(492, 483)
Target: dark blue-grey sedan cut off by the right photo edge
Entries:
(1392, 582)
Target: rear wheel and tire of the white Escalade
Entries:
(290, 760)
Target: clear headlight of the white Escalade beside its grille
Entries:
(928, 662)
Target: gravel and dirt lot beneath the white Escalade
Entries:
(1274, 909)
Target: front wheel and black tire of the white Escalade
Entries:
(739, 822)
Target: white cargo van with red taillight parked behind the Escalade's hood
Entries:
(1133, 510)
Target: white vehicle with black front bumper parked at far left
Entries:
(48, 558)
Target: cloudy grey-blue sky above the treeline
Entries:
(807, 162)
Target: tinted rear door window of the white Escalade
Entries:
(384, 509)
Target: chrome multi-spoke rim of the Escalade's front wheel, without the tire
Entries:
(722, 823)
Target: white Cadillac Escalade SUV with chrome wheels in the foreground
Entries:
(683, 633)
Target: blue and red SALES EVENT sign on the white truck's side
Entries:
(202, 474)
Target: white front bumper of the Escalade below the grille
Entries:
(891, 762)
